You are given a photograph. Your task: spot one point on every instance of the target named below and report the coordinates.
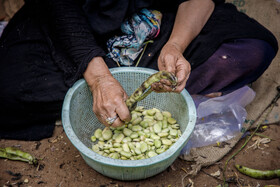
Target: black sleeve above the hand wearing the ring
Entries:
(73, 31)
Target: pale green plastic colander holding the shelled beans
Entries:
(79, 123)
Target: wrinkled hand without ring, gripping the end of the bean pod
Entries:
(172, 60)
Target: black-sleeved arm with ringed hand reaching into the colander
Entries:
(73, 33)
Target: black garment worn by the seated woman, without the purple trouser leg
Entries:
(47, 45)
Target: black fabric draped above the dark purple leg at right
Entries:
(225, 24)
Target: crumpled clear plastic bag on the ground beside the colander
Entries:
(220, 118)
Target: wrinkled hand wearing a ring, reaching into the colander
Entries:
(108, 95)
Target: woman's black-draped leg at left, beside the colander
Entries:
(32, 88)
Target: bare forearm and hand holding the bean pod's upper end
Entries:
(190, 19)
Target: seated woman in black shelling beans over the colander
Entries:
(48, 45)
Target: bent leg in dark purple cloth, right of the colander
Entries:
(233, 65)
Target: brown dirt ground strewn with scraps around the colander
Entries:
(61, 165)
